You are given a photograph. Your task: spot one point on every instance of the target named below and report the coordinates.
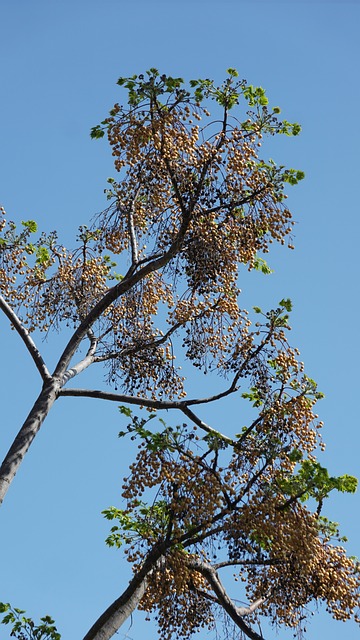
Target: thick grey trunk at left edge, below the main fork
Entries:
(27, 433)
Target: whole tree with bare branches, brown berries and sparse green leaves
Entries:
(156, 276)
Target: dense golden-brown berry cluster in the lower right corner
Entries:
(306, 568)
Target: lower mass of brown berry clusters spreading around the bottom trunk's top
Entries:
(232, 510)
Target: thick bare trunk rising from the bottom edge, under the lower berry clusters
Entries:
(114, 617)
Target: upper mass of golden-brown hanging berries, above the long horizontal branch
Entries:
(192, 193)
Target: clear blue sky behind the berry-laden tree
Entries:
(59, 62)
